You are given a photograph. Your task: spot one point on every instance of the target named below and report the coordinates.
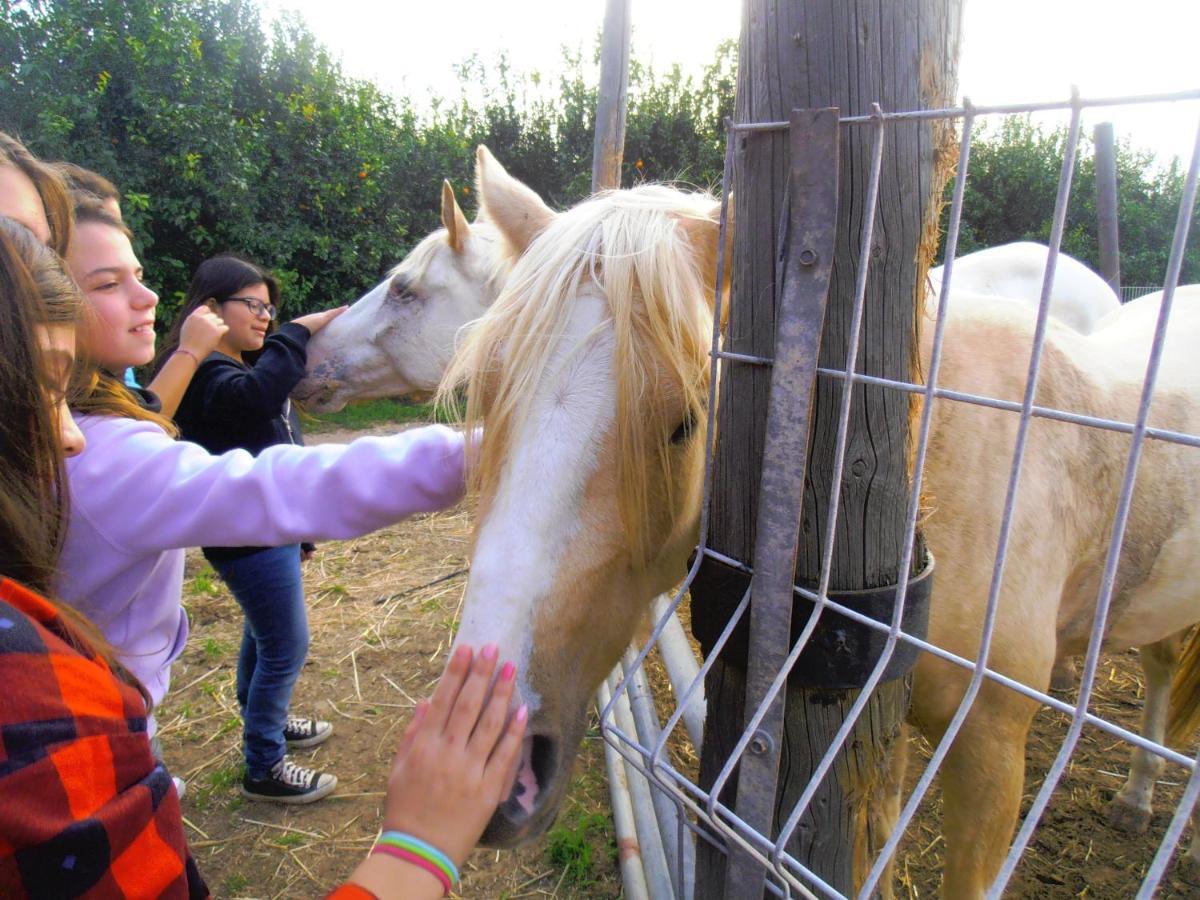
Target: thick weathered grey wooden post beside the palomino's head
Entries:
(813, 55)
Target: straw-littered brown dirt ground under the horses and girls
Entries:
(383, 610)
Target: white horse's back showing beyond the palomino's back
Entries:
(1079, 297)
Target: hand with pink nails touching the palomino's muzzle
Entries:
(459, 757)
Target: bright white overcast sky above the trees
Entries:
(1015, 51)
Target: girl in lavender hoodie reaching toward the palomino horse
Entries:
(139, 497)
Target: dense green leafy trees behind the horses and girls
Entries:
(226, 137)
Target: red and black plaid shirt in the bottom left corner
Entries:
(86, 811)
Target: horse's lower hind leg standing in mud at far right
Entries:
(1131, 808)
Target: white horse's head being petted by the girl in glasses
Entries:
(399, 338)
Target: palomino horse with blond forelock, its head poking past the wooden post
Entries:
(590, 375)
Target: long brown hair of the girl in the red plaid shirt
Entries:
(35, 290)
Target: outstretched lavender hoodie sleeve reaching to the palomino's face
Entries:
(148, 494)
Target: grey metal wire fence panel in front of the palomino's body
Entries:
(629, 722)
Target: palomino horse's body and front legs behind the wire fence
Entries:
(1063, 521)
